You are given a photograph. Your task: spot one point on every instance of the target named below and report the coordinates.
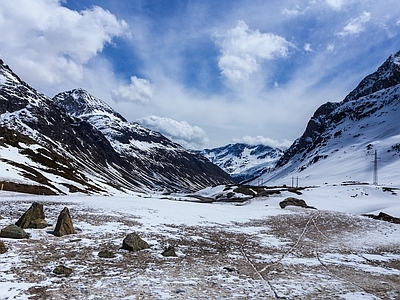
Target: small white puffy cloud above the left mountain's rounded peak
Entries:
(138, 91)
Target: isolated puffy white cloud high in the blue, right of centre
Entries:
(243, 50)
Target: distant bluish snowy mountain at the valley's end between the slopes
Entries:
(243, 161)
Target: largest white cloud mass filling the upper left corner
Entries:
(50, 44)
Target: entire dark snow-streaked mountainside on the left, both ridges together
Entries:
(76, 142)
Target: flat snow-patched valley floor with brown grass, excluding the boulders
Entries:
(249, 250)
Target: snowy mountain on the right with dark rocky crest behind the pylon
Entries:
(340, 139)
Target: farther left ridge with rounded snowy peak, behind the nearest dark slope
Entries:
(162, 162)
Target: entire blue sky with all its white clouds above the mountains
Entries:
(202, 72)
